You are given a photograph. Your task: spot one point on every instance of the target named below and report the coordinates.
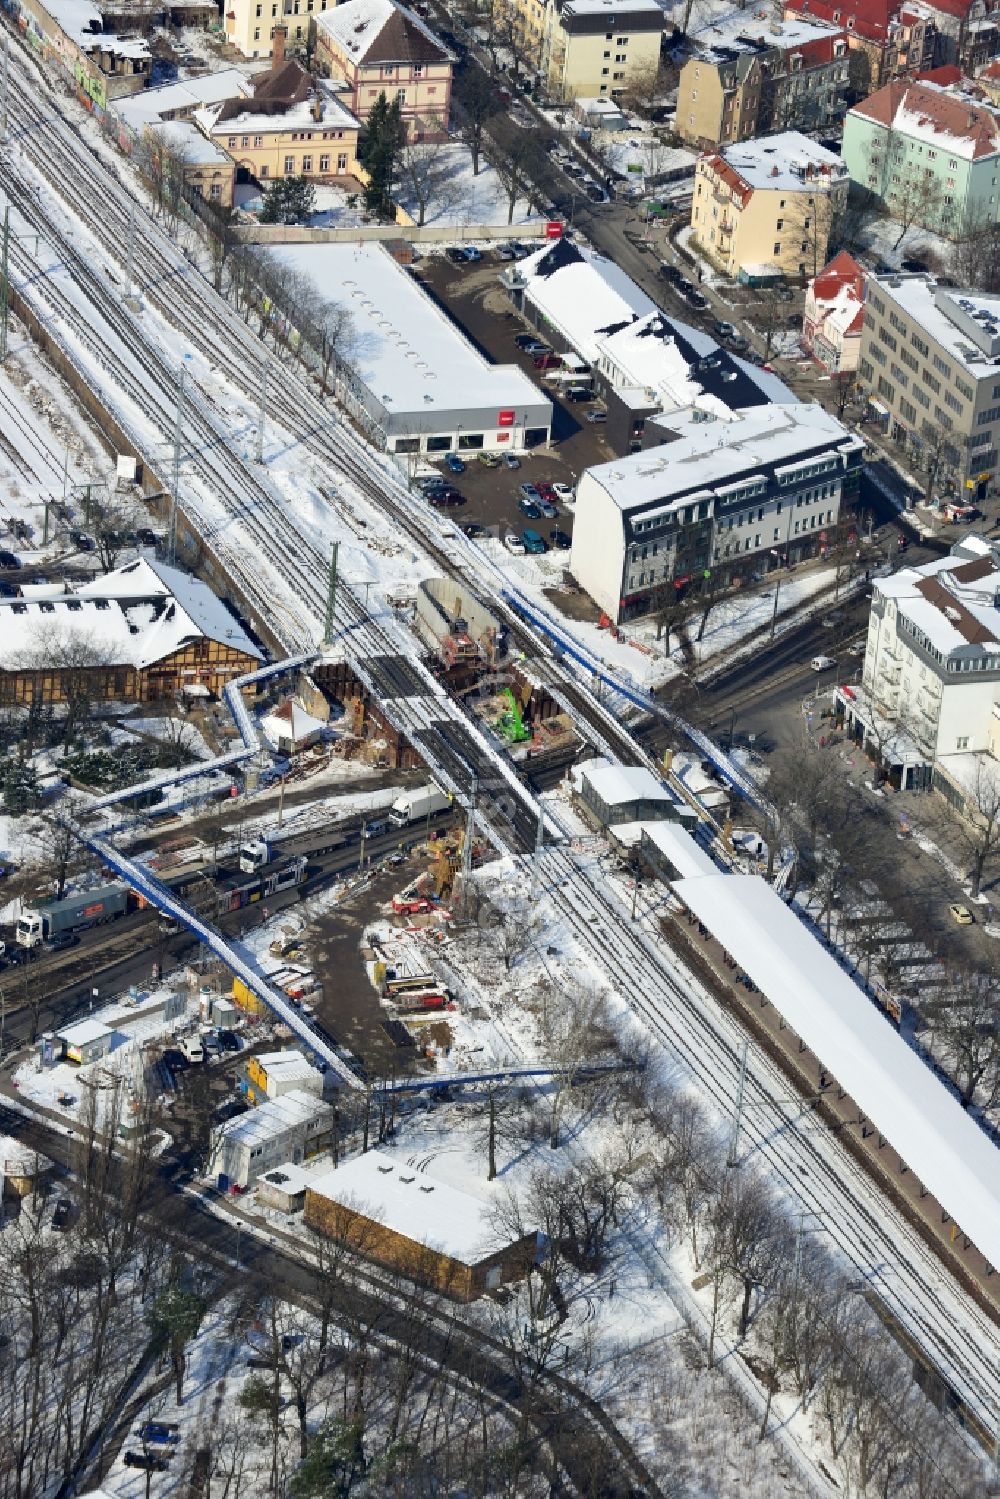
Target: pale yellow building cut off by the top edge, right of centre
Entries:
(591, 49)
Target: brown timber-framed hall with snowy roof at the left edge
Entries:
(143, 633)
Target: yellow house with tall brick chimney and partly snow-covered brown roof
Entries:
(293, 127)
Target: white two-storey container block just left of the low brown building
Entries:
(287, 1129)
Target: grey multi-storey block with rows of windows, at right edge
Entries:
(930, 367)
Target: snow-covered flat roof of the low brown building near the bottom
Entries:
(415, 1204)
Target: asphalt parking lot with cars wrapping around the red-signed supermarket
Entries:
(473, 298)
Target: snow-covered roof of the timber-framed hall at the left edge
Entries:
(137, 615)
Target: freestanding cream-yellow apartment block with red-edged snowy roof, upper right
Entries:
(765, 209)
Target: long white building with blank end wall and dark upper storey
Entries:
(728, 497)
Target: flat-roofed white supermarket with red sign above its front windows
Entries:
(409, 374)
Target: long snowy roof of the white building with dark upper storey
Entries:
(714, 453)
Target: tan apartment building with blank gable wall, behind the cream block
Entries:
(750, 79)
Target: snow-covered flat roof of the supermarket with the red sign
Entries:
(407, 352)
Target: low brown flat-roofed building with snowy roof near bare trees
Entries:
(427, 1228)
